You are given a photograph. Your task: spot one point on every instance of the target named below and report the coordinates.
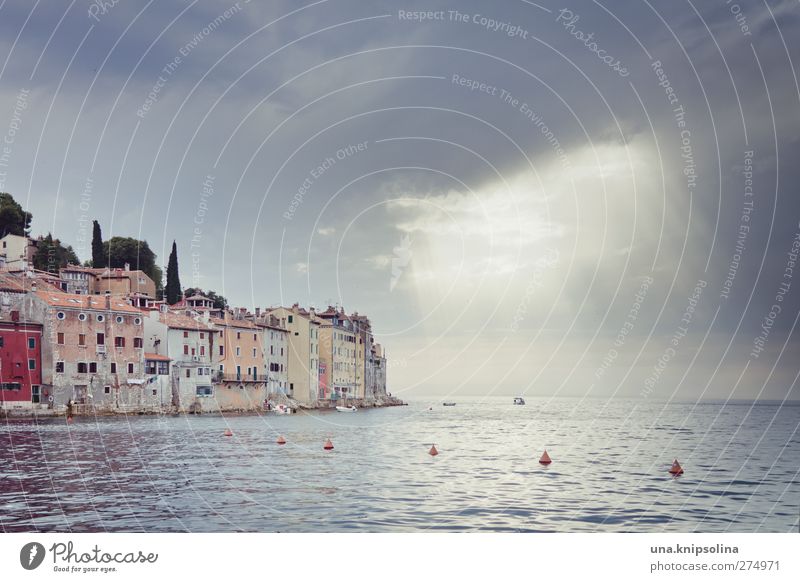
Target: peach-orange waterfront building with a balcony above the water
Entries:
(240, 363)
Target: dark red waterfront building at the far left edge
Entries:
(21, 364)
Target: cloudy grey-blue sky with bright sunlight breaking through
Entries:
(590, 199)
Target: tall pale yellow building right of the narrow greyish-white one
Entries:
(303, 352)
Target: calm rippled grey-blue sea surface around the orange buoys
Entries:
(609, 470)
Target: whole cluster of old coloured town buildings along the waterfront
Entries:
(99, 340)
